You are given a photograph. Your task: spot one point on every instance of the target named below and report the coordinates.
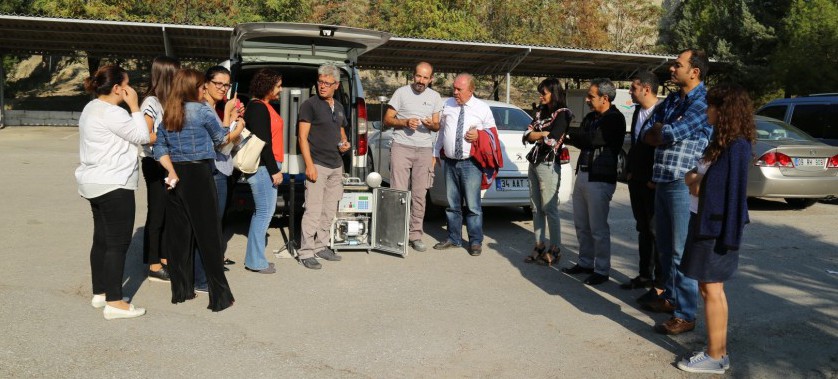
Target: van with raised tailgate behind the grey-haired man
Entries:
(296, 51)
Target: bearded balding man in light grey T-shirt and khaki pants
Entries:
(413, 112)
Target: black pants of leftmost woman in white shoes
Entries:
(113, 223)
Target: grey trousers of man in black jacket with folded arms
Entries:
(591, 203)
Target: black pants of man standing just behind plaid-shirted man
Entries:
(643, 206)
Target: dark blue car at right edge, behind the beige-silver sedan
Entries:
(817, 115)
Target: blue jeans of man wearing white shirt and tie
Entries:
(462, 180)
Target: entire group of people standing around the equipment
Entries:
(687, 172)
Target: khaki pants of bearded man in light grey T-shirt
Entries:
(412, 168)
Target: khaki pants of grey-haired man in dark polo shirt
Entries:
(321, 205)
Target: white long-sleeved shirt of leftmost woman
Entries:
(108, 139)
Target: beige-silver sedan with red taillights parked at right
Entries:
(792, 165)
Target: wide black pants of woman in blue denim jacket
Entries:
(192, 222)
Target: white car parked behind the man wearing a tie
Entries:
(511, 187)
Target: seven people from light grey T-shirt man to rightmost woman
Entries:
(687, 177)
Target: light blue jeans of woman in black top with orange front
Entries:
(264, 201)
